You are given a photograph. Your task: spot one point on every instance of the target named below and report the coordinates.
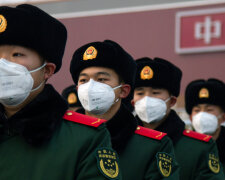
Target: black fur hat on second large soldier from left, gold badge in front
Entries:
(104, 54)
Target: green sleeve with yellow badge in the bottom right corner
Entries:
(209, 166)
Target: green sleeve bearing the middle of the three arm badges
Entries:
(164, 166)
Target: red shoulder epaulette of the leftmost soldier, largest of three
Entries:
(83, 119)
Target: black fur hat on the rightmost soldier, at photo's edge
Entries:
(211, 91)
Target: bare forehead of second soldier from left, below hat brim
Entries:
(96, 70)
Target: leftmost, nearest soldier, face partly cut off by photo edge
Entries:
(39, 140)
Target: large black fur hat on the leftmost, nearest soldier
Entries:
(30, 27)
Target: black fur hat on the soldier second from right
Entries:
(158, 73)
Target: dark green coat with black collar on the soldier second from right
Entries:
(194, 152)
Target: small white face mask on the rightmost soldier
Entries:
(205, 123)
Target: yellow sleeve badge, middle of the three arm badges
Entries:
(164, 163)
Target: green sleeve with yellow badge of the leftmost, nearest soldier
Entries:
(90, 167)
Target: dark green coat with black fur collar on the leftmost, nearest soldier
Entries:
(38, 144)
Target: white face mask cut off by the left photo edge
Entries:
(16, 82)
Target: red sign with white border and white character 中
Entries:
(200, 31)
